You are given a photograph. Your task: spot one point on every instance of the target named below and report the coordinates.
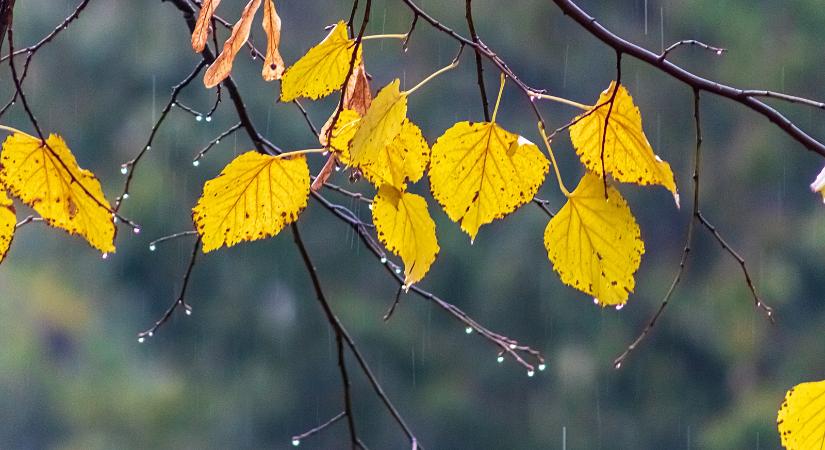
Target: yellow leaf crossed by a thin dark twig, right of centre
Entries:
(628, 155)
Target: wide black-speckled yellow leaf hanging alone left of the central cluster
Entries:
(254, 197)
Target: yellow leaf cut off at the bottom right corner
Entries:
(801, 419)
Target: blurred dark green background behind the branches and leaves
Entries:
(256, 363)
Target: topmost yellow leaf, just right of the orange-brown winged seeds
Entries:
(323, 69)
